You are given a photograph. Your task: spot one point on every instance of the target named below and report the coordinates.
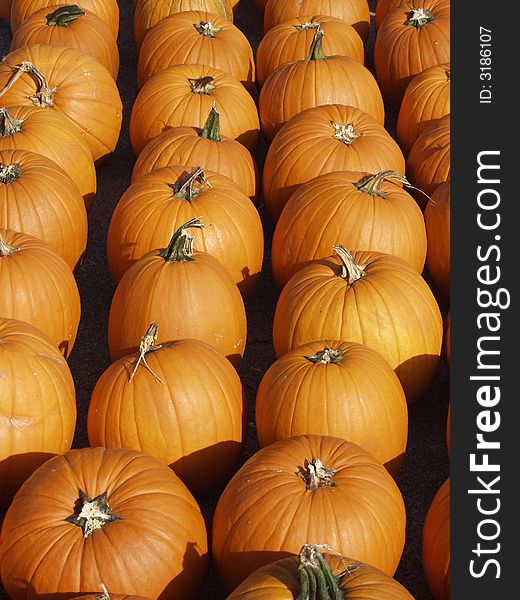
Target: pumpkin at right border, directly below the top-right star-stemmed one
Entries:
(427, 97)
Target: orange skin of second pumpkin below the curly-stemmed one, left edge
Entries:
(44, 202)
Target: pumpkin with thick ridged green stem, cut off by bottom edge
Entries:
(330, 575)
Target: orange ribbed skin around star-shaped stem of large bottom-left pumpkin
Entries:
(160, 519)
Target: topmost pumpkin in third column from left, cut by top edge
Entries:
(354, 12)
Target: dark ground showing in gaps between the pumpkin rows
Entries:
(426, 463)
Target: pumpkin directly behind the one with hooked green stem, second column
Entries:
(157, 204)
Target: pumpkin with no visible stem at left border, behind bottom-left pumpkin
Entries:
(37, 405)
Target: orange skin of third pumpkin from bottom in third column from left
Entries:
(298, 397)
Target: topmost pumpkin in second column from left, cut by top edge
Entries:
(150, 12)
